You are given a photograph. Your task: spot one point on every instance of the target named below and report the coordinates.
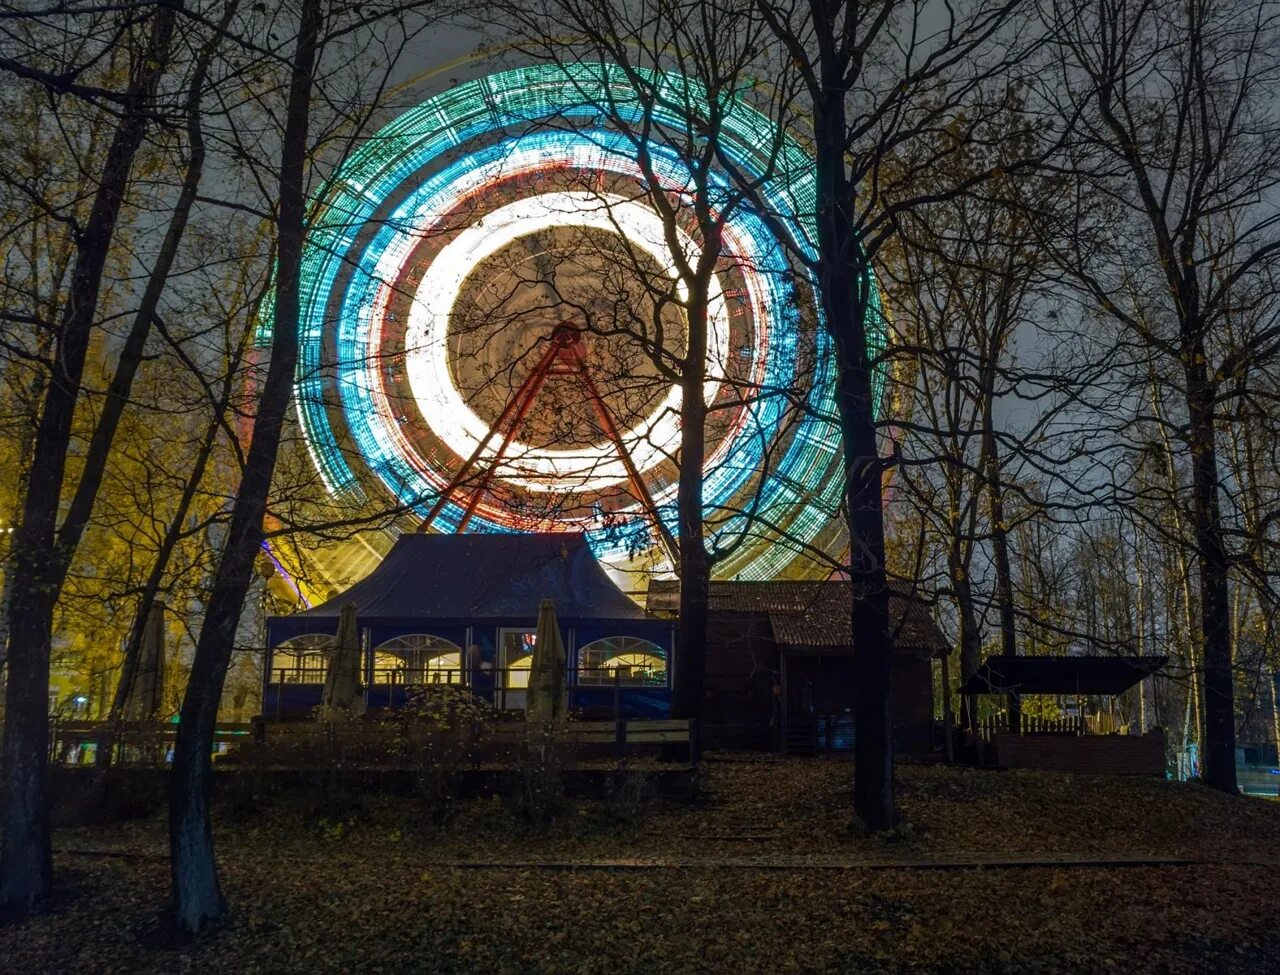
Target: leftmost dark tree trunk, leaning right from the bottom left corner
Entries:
(26, 859)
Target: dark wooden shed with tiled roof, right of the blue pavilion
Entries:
(780, 663)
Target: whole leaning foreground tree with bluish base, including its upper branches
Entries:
(326, 109)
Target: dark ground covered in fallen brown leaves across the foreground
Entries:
(991, 872)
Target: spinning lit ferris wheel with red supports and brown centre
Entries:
(491, 315)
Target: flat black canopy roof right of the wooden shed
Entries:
(1062, 675)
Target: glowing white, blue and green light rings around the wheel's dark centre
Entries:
(433, 196)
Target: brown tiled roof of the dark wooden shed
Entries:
(813, 615)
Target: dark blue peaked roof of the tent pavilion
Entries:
(482, 578)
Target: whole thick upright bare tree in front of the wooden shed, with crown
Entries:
(877, 80)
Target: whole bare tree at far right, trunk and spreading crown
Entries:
(1177, 131)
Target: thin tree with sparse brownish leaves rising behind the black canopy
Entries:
(975, 290)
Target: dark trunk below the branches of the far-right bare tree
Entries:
(1215, 601)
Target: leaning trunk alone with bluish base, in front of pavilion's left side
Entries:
(198, 899)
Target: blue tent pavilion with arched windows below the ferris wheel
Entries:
(461, 610)
